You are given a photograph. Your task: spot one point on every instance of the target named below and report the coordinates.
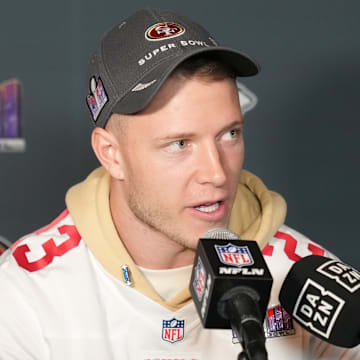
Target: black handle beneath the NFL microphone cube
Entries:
(242, 311)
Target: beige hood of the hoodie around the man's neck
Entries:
(257, 214)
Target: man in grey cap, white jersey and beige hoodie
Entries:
(109, 277)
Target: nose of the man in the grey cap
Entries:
(210, 166)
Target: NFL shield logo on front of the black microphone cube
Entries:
(234, 255)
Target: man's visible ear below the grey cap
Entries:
(107, 150)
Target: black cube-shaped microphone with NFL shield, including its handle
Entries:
(230, 285)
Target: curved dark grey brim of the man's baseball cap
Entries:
(140, 95)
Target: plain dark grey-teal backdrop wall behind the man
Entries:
(301, 138)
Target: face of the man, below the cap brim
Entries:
(182, 159)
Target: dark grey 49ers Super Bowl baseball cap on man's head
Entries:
(136, 56)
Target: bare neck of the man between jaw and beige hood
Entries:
(141, 241)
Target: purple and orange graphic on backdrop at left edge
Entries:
(11, 109)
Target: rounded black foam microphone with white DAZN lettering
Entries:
(323, 295)
